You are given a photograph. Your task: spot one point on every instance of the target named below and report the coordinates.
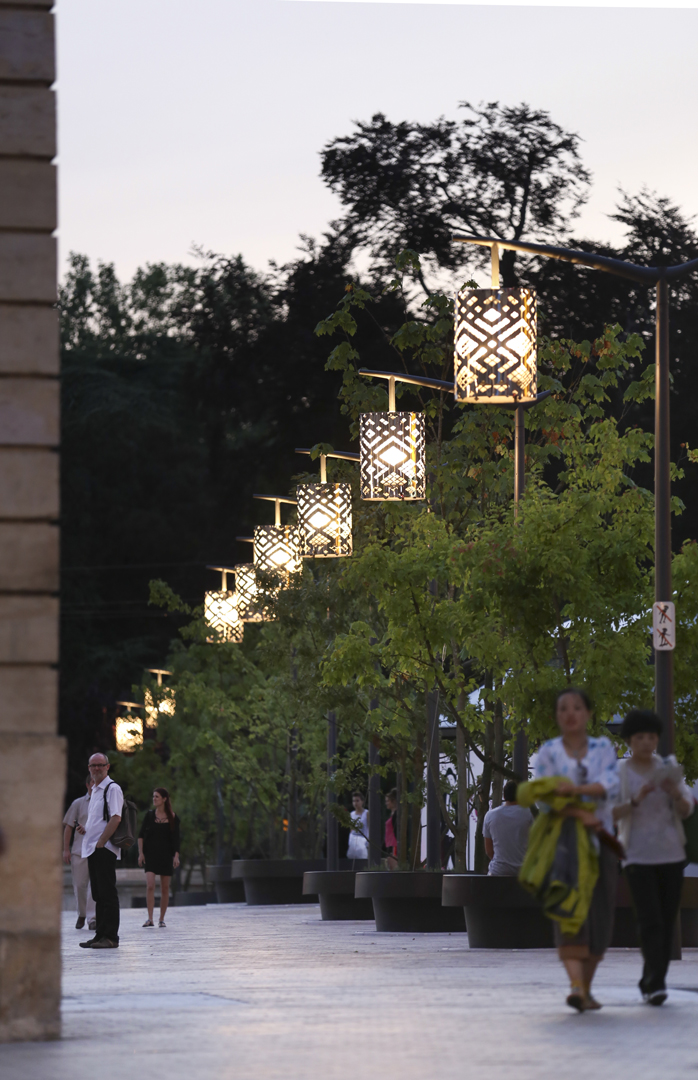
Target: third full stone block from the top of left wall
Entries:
(28, 195)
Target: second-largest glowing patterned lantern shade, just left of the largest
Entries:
(393, 456)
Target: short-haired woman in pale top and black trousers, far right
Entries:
(654, 801)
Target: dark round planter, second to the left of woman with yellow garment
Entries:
(407, 902)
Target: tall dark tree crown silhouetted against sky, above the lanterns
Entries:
(508, 172)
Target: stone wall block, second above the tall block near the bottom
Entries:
(29, 630)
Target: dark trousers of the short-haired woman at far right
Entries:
(656, 895)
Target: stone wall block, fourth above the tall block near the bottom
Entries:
(29, 484)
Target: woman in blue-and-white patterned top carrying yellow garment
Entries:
(590, 766)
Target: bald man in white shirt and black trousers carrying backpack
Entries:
(106, 804)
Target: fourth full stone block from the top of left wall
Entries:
(28, 267)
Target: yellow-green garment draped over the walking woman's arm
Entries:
(563, 884)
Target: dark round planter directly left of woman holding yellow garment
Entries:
(500, 914)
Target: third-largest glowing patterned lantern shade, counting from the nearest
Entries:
(325, 520)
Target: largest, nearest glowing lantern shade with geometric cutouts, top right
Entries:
(495, 347)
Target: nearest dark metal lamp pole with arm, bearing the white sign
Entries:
(661, 279)
